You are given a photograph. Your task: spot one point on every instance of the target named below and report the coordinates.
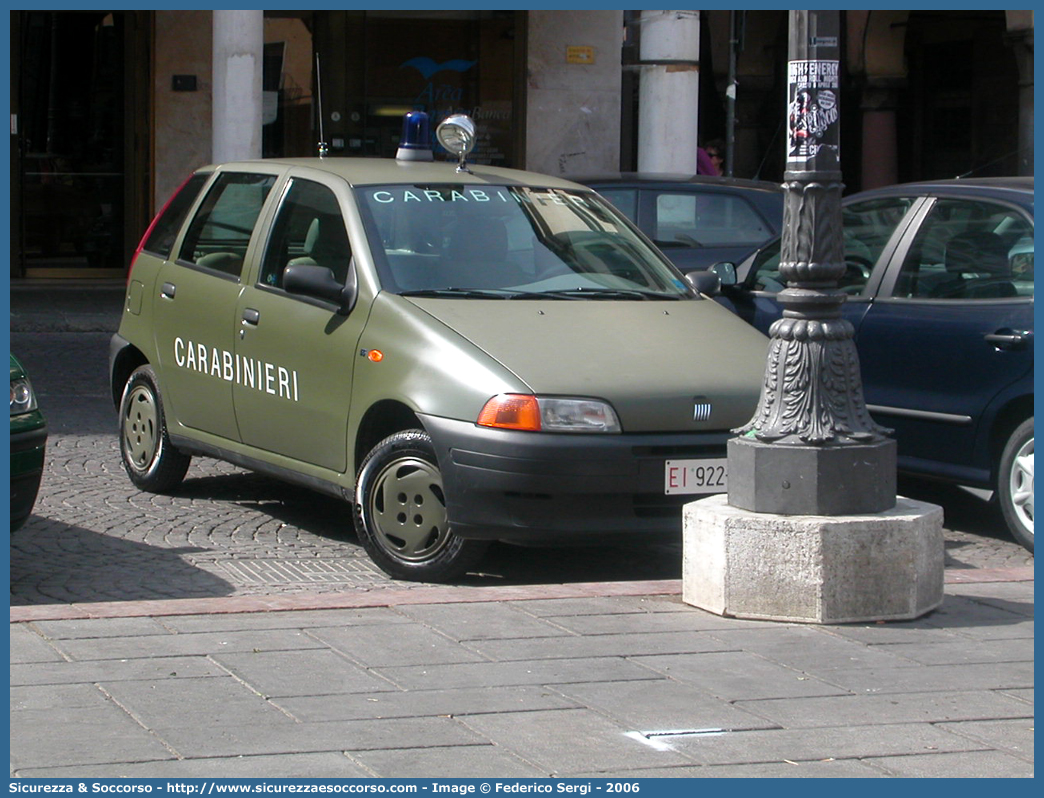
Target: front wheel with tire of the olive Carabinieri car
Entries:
(400, 513)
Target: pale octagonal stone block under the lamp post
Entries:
(815, 570)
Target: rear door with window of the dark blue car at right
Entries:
(952, 327)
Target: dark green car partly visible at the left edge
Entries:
(29, 440)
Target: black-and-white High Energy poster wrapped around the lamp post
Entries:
(814, 114)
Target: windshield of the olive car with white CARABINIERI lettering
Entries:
(511, 243)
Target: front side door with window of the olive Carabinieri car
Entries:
(296, 356)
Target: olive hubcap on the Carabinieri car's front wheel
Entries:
(409, 510)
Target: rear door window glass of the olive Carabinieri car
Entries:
(221, 232)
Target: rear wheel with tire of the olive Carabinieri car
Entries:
(150, 459)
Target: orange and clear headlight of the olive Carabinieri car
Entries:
(549, 414)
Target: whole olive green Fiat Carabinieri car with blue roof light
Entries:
(463, 354)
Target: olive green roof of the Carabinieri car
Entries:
(388, 171)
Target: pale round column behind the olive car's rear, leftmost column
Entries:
(239, 56)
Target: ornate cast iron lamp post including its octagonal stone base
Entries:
(812, 530)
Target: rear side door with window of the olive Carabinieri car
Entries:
(198, 292)
